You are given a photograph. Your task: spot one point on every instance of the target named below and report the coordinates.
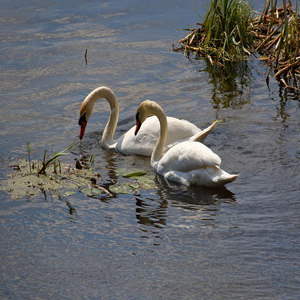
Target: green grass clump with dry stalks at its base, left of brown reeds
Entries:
(225, 34)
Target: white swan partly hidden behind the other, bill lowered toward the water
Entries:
(128, 143)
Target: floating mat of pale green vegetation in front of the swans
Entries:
(32, 177)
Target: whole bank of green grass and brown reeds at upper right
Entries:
(232, 31)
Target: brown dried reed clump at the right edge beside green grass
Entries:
(277, 41)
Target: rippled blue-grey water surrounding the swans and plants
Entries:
(171, 242)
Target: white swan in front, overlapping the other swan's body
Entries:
(187, 162)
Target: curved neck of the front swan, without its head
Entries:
(157, 153)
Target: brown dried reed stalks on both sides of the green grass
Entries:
(276, 39)
